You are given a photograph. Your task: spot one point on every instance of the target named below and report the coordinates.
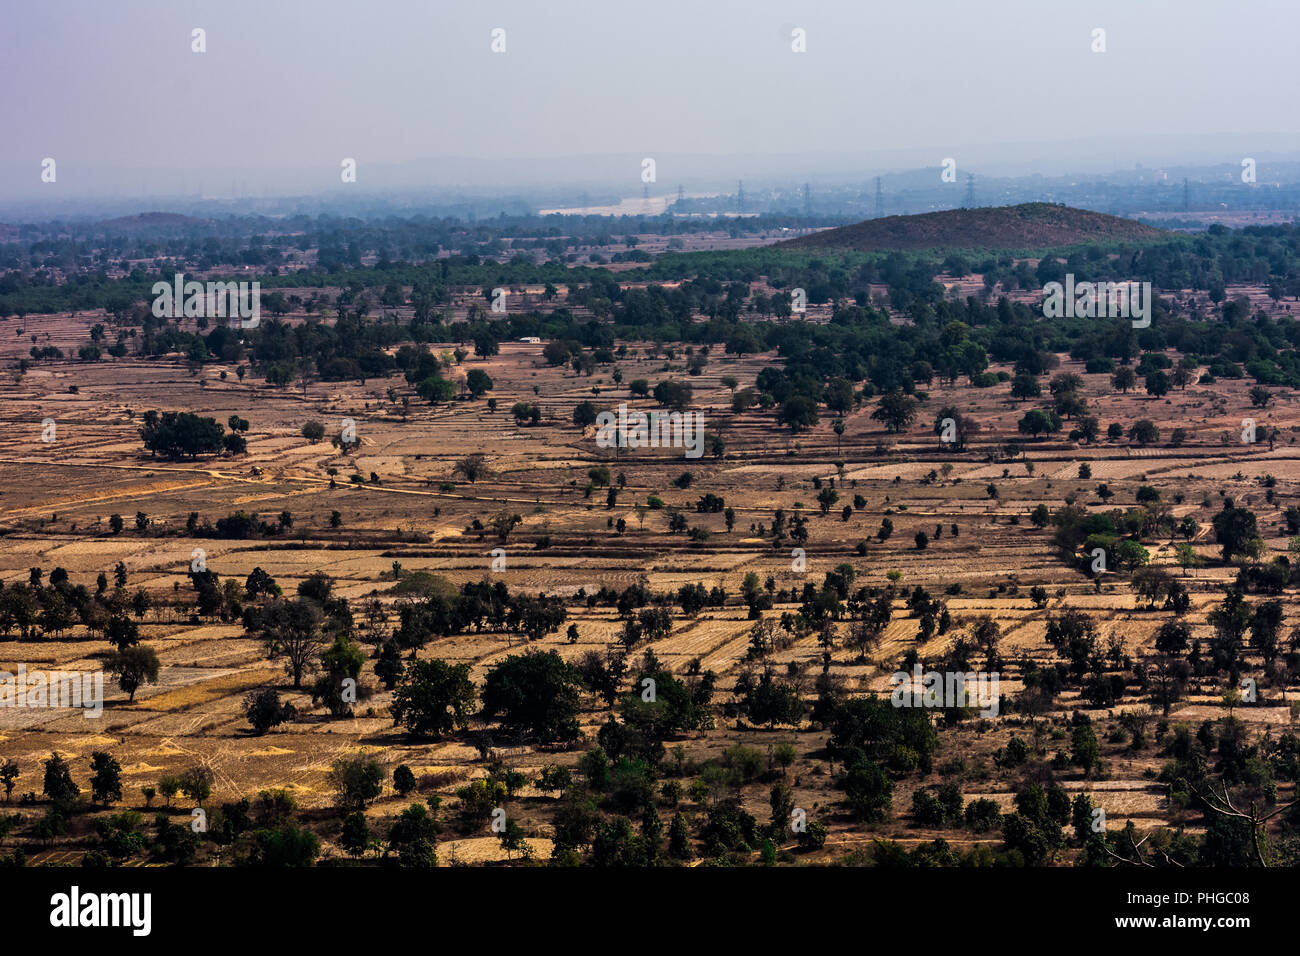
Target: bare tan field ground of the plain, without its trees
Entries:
(410, 511)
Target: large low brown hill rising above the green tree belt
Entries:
(1030, 226)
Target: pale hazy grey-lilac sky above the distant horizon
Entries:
(289, 88)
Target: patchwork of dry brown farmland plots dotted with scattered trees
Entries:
(961, 543)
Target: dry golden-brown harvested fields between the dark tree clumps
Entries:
(396, 512)
